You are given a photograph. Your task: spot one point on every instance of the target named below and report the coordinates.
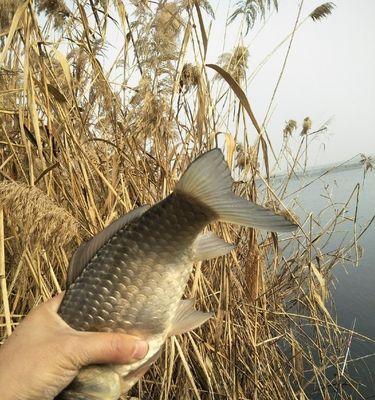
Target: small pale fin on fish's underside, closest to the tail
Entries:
(208, 245)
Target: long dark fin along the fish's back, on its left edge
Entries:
(87, 250)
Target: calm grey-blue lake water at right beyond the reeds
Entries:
(353, 287)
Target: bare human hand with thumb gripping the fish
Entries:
(44, 354)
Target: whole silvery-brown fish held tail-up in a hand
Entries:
(132, 275)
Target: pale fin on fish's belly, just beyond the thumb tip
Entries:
(187, 318)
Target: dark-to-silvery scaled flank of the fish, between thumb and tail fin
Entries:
(126, 273)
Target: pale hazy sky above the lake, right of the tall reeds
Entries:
(330, 72)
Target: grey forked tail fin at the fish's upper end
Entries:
(208, 179)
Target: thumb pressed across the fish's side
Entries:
(104, 348)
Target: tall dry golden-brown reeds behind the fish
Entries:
(85, 138)
